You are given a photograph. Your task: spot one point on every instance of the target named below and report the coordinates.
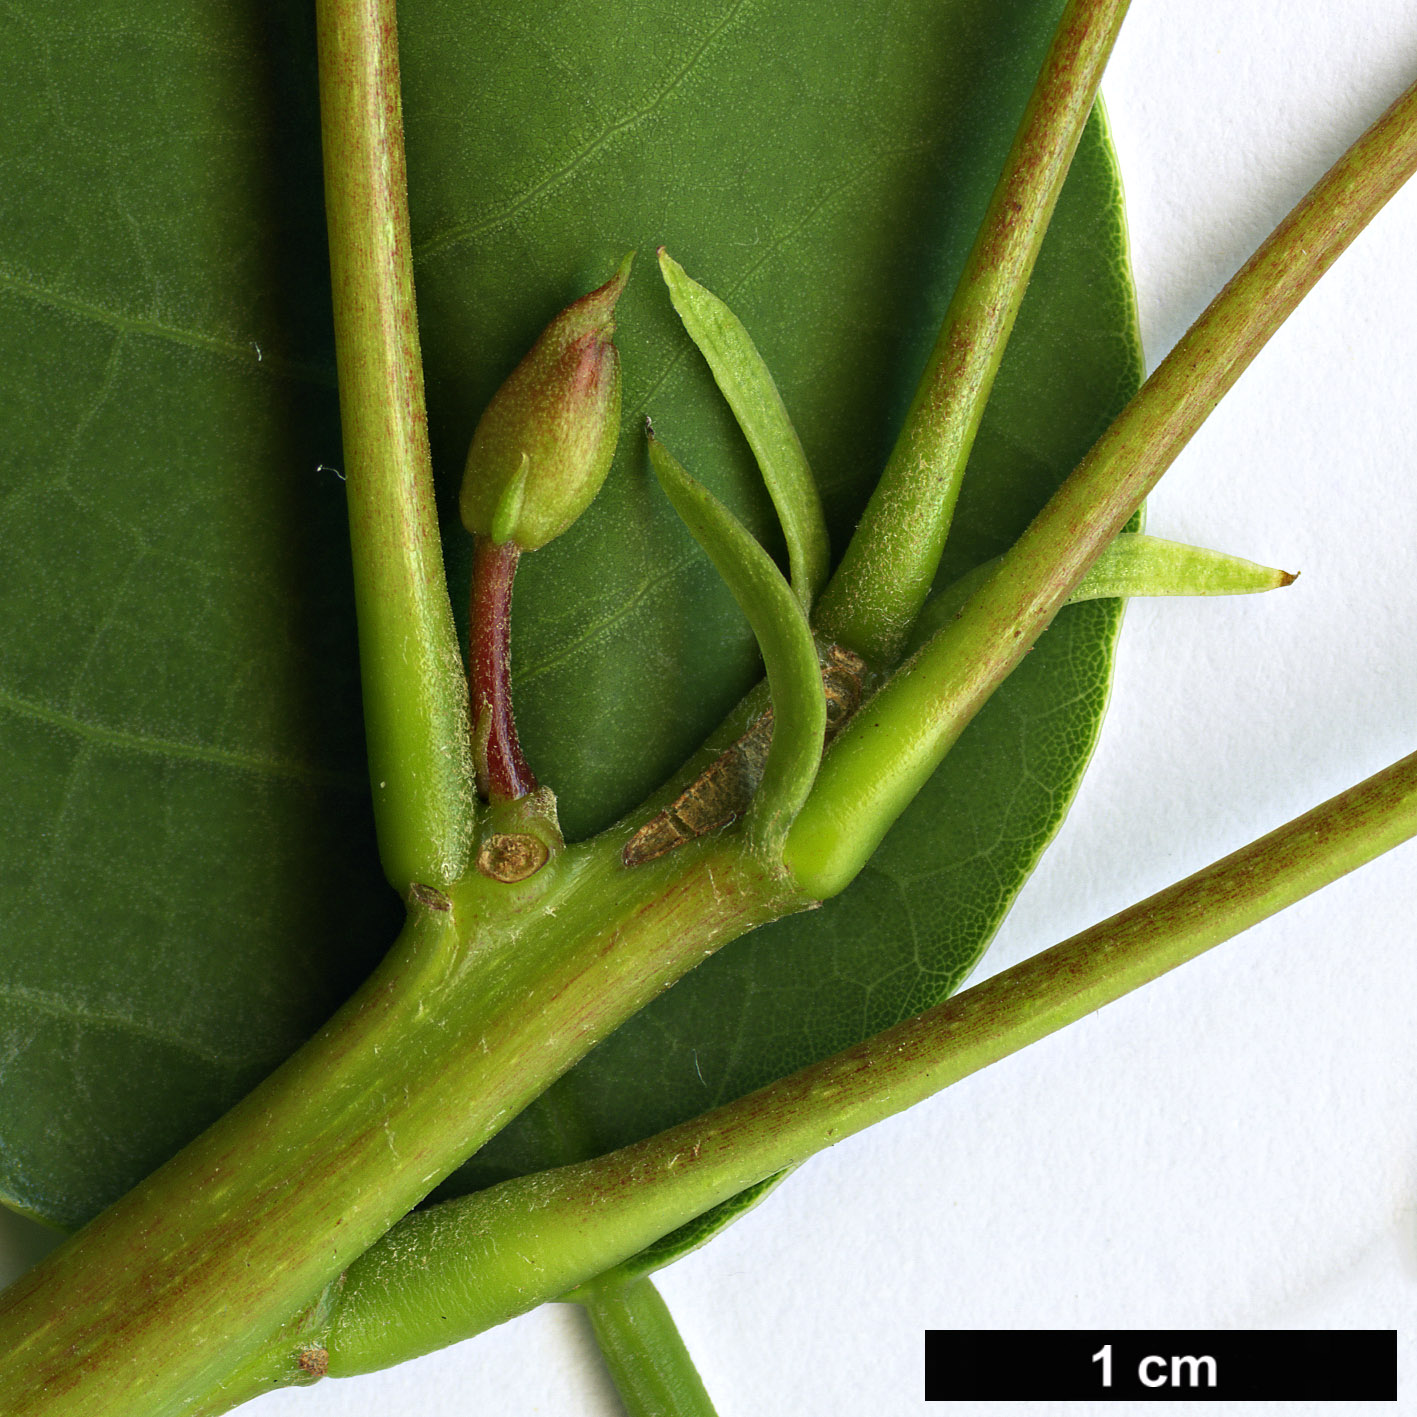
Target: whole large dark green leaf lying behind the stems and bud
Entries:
(189, 869)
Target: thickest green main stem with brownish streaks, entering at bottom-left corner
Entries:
(490, 997)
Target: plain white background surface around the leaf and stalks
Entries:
(1236, 1147)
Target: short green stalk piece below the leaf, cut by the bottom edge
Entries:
(643, 1348)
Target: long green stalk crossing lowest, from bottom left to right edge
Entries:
(454, 1270)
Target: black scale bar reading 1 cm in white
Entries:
(1161, 1365)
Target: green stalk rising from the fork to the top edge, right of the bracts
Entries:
(892, 562)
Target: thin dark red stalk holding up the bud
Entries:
(502, 772)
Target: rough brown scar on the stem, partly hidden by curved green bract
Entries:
(725, 790)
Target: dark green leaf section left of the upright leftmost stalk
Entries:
(189, 882)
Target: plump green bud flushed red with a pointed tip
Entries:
(548, 439)
